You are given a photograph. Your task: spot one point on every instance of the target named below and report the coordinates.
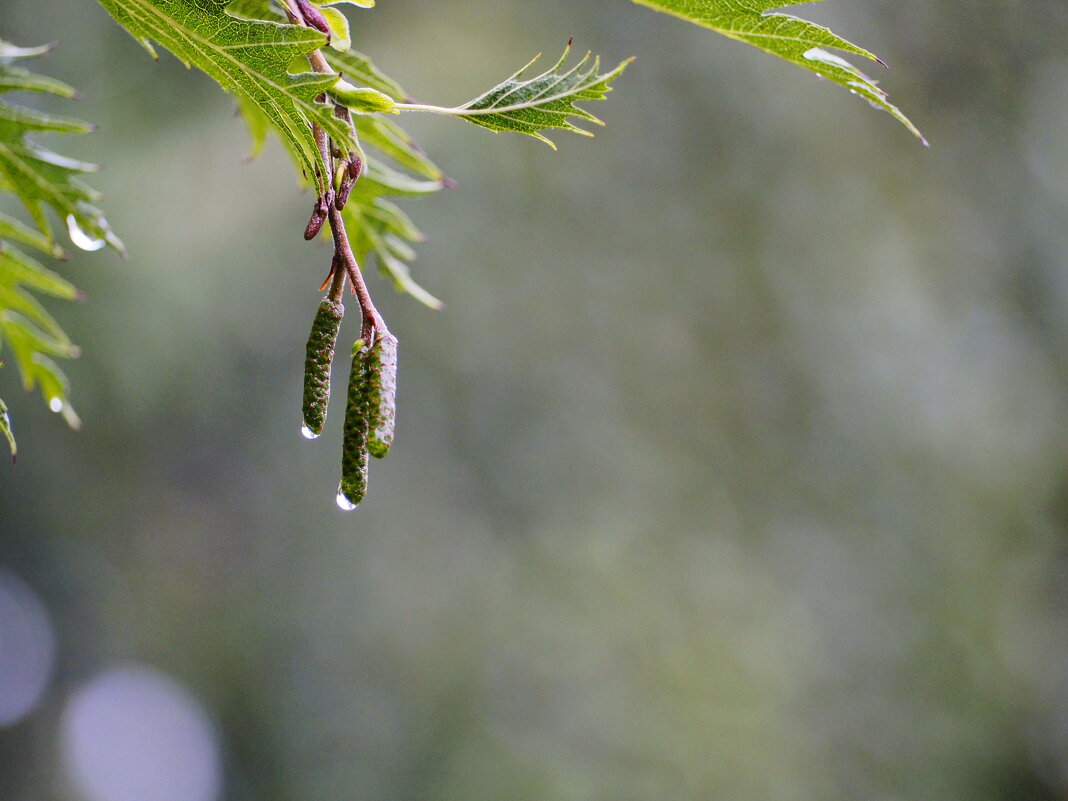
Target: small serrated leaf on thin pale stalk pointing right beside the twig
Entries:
(535, 105)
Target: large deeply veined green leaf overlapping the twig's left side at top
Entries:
(249, 58)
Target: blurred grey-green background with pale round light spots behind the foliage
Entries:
(735, 469)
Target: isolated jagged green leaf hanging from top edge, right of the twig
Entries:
(797, 41)
